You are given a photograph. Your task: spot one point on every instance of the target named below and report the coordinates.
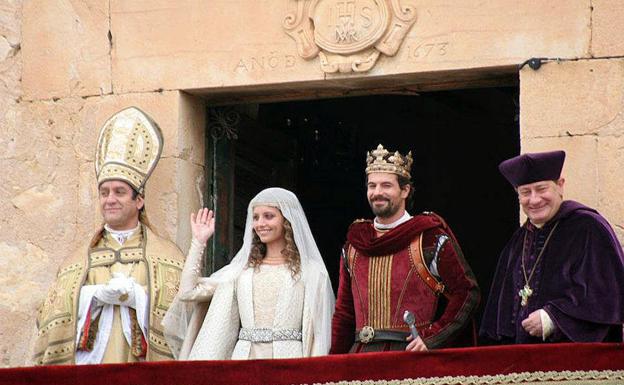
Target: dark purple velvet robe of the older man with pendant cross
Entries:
(579, 280)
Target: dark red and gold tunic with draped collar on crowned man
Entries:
(385, 273)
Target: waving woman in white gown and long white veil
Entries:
(274, 299)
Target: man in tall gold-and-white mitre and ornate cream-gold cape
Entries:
(109, 298)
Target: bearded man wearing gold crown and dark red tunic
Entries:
(398, 267)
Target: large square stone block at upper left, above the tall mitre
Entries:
(66, 48)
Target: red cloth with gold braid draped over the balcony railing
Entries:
(526, 364)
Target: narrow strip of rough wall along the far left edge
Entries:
(17, 254)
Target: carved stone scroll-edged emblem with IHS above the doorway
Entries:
(348, 35)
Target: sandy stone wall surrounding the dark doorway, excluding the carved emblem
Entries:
(67, 65)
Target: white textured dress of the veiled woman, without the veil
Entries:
(265, 299)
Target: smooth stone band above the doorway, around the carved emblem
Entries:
(190, 44)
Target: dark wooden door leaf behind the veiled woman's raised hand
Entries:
(243, 156)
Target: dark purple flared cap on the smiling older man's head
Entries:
(531, 168)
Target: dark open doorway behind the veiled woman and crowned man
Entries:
(317, 149)
